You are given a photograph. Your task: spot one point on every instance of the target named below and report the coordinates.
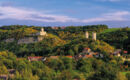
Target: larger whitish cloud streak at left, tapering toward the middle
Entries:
(23, 14)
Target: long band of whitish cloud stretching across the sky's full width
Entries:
(25, 14)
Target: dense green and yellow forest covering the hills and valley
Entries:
(62, 42)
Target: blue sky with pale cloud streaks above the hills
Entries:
(114, 13)
